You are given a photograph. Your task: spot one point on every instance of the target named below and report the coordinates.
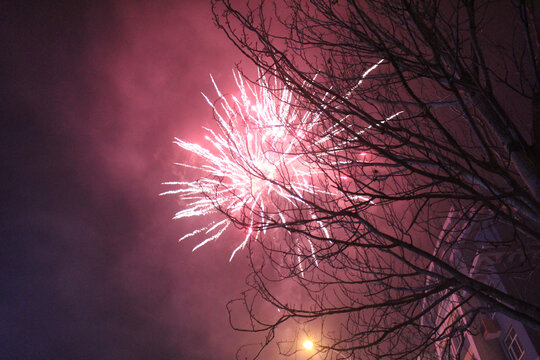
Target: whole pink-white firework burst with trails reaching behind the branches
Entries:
(244, 165)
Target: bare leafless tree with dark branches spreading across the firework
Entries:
(417, 107)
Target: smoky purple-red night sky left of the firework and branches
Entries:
(92, 95)
